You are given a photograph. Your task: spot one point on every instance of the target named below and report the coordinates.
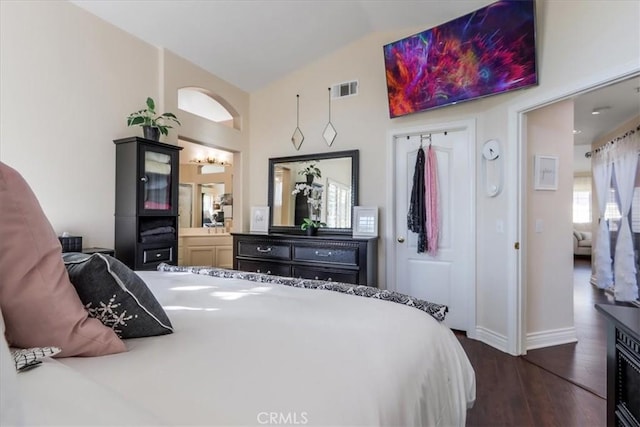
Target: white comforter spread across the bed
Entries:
(246, 353)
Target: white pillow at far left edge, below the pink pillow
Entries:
(10, 403)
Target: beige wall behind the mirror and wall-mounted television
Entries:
(575, 42)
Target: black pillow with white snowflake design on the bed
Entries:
(112, 293)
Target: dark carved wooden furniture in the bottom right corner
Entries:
(623, 364)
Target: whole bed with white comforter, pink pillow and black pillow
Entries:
(233, 349)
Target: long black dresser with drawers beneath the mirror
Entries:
(332, 258)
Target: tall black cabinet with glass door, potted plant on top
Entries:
(146, 208)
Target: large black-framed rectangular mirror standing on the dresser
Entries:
(322, 187)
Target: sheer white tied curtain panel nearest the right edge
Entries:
(625, 161)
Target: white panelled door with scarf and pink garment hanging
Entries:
(448, 276)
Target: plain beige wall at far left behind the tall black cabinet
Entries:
(68, 81)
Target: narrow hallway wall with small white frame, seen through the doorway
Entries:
(549, 227)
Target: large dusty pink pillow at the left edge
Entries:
(40, 305)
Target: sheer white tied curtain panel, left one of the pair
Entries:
(602, 168)
